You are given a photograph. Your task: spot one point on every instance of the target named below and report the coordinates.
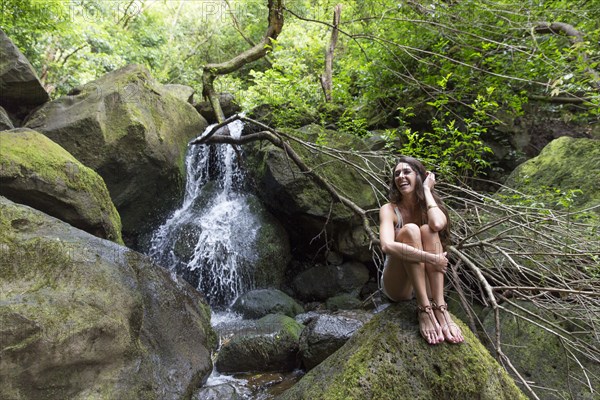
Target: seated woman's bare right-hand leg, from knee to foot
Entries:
(432, 244)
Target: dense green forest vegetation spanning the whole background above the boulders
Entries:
(439, 74)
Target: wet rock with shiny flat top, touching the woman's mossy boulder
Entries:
(326, 333)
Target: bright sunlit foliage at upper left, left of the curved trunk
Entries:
(72, 43)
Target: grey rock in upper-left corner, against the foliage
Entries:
(21, 90)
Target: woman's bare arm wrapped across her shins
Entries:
(403, 251)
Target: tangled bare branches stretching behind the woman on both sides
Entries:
(538, 265)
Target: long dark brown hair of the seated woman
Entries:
(395, 196)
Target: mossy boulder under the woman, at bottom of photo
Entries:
(388, 359)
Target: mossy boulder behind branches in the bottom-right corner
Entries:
(542, 357)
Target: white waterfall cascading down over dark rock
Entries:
(209, 239)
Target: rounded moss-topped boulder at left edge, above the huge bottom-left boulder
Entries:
(38, 172)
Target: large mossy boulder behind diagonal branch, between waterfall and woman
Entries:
(295, 198)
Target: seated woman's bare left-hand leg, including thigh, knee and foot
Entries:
(400, 277)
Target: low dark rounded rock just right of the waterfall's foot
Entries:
(261, 302)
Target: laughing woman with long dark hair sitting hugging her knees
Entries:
(410, 228)
